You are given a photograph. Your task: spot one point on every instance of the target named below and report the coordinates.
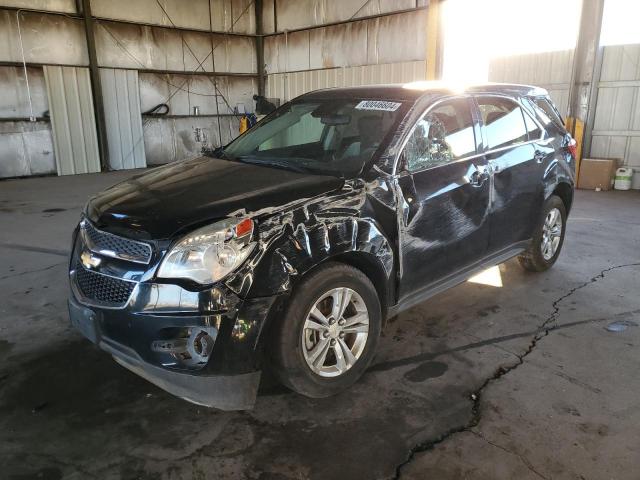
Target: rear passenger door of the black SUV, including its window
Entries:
(516, 164)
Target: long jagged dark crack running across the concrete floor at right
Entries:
(542, 331)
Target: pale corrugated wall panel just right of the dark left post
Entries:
(123, 118)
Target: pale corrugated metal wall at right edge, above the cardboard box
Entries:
(616, 129)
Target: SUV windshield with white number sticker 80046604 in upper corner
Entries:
(334, 137)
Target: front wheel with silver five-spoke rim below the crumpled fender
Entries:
(293, 344)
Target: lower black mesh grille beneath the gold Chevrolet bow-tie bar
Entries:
(103, 289)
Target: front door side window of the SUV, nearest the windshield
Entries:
(444, 134)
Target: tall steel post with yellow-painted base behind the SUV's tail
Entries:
(585, 72)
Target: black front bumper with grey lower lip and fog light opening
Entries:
(230, 378)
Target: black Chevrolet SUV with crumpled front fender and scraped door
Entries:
(288, 248)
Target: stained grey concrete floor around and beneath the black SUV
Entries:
(484, 382)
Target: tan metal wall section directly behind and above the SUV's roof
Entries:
(319, 54)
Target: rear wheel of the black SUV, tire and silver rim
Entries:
(537, 258)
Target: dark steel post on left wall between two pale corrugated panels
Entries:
(96, 85)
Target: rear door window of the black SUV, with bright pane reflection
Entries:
(503, 122)
